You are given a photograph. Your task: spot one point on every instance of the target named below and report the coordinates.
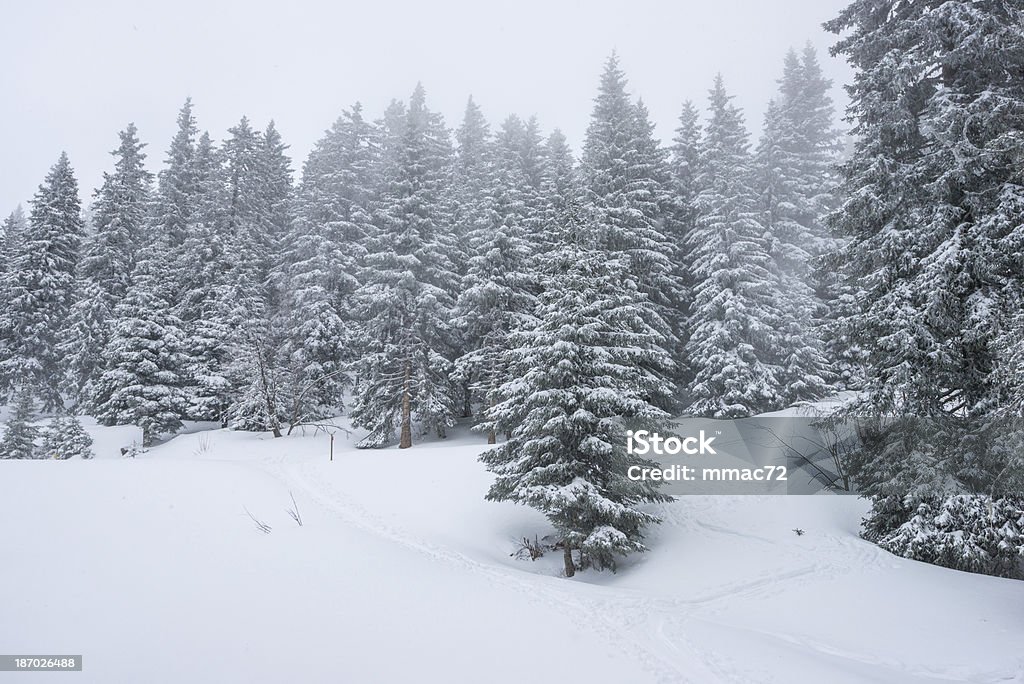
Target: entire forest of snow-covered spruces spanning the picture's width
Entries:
(417, 277)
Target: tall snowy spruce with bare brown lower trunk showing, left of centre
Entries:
(405, 334)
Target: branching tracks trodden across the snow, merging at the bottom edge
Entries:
(666, 621)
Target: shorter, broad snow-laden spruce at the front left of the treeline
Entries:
(145, 374)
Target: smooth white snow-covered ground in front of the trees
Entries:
(153, 570)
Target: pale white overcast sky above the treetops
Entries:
(75, 73)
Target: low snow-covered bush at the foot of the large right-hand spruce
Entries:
(971, 533)
